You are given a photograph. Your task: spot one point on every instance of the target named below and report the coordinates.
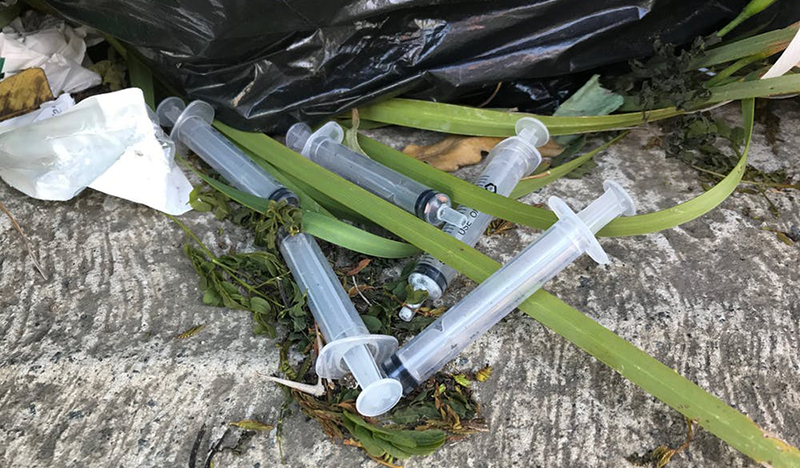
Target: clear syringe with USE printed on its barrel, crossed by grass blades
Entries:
(507, 163)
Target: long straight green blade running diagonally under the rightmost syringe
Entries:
(640, 368)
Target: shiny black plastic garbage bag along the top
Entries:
(265, 64)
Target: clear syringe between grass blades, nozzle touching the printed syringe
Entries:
(325, 148)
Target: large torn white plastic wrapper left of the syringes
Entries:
(108, 142)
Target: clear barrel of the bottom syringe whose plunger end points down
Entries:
(332, 309)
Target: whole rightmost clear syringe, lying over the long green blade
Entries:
(509, 286)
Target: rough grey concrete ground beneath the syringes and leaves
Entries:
(91, 375)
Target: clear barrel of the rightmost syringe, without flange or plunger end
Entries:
(486, 305)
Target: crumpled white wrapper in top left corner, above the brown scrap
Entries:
(35, 41)
